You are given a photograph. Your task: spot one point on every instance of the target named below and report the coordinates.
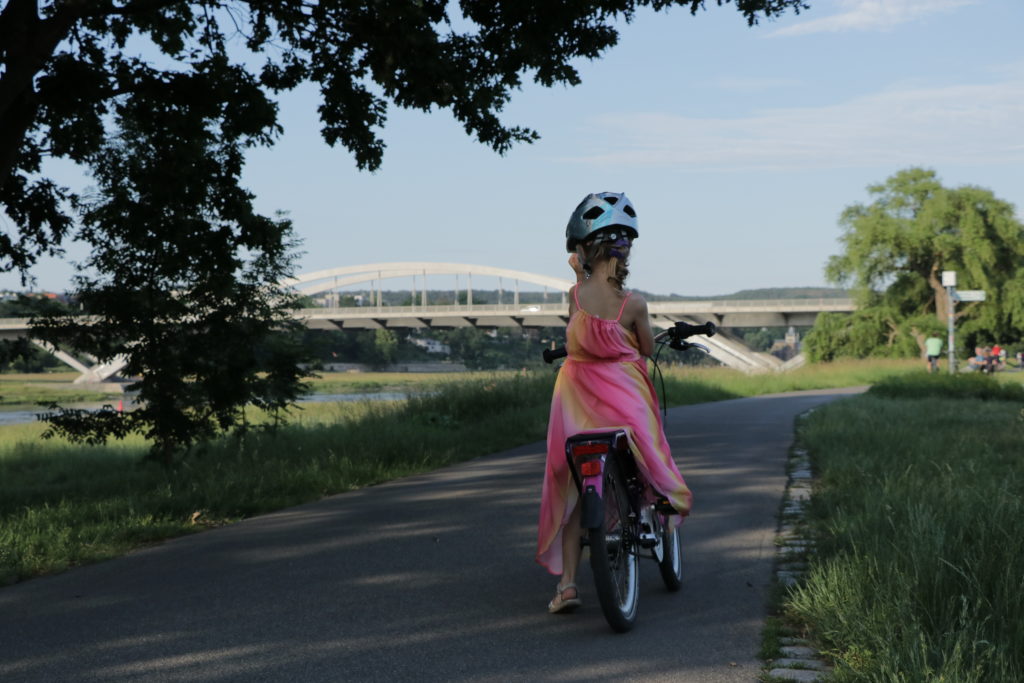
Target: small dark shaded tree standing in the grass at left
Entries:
(182, 281)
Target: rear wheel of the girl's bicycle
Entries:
(614, 557)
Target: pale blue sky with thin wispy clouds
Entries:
(740, 148)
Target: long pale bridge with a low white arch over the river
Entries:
(509, 312)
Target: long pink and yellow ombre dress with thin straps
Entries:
(604, 386)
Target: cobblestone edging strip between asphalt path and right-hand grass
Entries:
(791, 658)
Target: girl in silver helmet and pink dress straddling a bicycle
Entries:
(604, 383)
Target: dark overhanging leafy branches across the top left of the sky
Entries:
(67, 66)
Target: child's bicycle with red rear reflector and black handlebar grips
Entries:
(623, 517)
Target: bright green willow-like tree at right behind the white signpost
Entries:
(894, 251)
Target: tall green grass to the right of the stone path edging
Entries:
(919, 521)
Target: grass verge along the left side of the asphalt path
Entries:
(64, 505)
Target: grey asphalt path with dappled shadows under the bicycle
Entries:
(426, 579)
